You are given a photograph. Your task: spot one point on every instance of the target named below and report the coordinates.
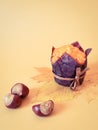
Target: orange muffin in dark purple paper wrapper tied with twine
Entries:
(69, 64)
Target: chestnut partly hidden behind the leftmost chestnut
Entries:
(20, 89)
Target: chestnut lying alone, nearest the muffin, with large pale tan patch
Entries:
(44, 108)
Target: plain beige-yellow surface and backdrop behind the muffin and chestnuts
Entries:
(28, 30)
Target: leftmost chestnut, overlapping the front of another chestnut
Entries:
(12, 101)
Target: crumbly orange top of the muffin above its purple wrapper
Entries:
(71, 50)
